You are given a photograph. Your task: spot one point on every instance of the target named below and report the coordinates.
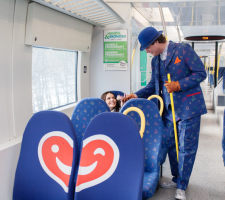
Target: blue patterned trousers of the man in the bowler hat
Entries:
(188, 136)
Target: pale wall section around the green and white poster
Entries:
(100, 80)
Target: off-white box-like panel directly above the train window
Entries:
(54, 29)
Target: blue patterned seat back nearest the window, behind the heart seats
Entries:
(84, 112)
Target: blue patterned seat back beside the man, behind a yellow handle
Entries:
(153, 130)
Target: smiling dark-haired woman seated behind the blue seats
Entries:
(111, 101)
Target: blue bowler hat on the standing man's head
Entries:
(148, 36)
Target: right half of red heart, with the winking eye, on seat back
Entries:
(99, 160)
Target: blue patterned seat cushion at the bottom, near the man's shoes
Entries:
(149, 184)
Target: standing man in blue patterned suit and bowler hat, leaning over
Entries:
(187, 72)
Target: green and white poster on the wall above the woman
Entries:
(115, 50)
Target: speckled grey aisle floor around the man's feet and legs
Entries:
(207, 181)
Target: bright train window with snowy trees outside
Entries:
(53, 78)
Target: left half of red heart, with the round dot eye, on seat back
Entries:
(55, 153)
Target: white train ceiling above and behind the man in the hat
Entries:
(193, 18)
